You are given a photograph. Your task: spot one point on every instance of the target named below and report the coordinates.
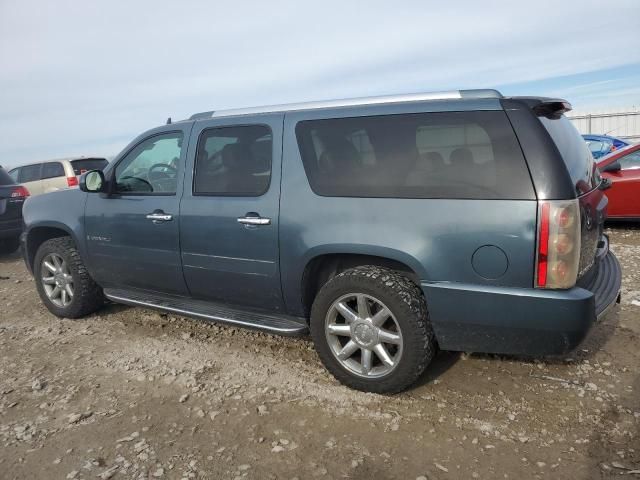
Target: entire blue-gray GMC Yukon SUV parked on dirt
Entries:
(386, 227)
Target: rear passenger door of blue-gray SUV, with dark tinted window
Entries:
(229, 212)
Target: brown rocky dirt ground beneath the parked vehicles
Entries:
(132, 393)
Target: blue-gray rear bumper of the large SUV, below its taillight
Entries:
(522, 321)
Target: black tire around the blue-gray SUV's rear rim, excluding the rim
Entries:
(407, 303)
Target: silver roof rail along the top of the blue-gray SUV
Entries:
(350, 102)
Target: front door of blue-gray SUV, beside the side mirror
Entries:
(133, 232)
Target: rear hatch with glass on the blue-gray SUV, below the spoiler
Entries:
(586, 179)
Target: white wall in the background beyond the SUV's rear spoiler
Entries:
(623, 123)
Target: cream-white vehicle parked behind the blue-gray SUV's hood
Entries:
(55, 175)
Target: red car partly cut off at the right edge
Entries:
(622, 167)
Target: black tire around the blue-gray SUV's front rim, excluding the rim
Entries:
(87, 296)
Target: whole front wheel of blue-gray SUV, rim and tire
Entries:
(63, 282)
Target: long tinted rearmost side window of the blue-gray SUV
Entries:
(427, 155)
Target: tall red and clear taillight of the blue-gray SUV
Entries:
(558, 254)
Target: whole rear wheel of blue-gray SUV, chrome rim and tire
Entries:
(371, 329)
